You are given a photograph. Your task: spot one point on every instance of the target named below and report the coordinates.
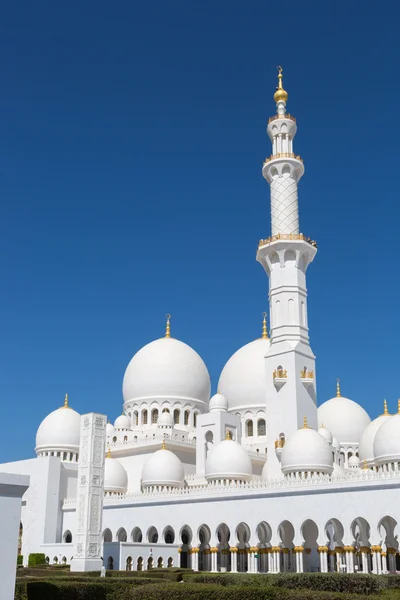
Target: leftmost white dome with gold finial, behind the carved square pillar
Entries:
(59, 431)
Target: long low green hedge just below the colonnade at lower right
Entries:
(324, 582)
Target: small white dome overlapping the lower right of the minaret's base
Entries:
(306, 450)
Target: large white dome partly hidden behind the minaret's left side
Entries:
(243, 379)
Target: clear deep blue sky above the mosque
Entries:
(132, 136)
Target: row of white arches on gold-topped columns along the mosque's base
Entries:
(358, 547)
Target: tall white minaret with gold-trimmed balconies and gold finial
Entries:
(285, 256)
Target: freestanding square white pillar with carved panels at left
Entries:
(90, 491)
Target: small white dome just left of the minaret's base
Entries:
(228, 460)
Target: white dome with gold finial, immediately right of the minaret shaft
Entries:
(345, 419)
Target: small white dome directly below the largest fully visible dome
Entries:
(163, 468)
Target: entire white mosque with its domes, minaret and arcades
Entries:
(256, 478)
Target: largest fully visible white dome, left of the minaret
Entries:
(166, 368)
